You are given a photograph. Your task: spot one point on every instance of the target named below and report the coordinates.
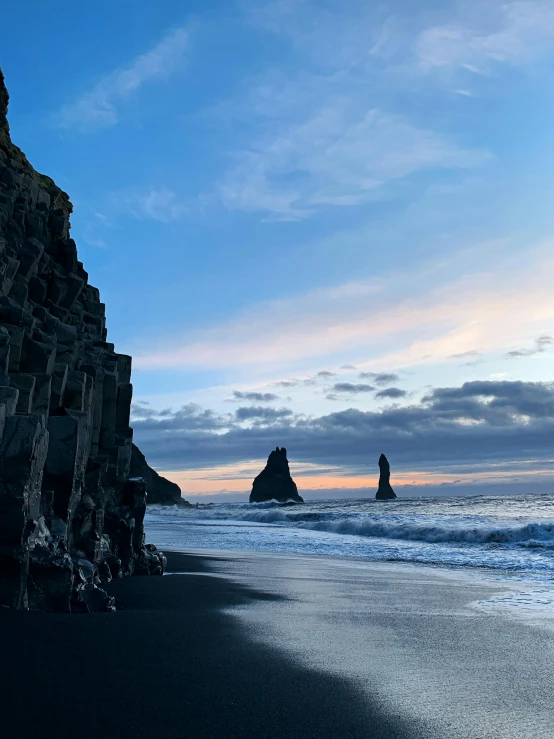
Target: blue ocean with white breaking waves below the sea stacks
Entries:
(506, 537)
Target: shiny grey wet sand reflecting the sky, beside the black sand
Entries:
(439, 649)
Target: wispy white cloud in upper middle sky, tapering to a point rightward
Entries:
(340, 154)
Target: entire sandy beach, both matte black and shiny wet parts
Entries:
(270, 645)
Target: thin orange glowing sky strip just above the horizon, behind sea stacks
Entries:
(238, 478)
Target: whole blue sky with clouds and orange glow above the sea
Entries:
(315, 224)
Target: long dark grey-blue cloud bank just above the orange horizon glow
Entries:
(475, 427)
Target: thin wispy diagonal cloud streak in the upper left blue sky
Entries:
(99, 108)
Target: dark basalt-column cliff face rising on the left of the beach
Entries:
(71, 516)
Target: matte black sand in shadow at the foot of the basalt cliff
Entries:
(169, 665)
